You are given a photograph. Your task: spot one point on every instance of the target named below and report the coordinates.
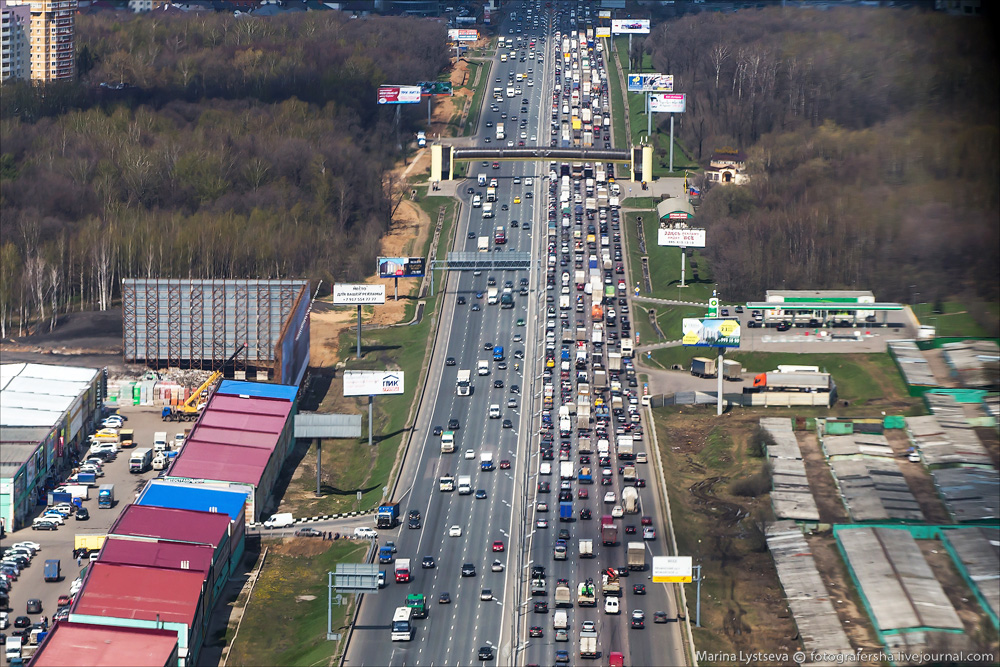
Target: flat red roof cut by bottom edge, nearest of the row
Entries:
(106, 646)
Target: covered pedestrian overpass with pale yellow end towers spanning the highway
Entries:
(443, 158)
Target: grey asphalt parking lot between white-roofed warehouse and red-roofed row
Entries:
(144, 421)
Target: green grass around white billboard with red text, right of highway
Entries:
(665, 264)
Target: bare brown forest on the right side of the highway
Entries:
(871, 138)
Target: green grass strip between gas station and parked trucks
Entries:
(864, 380)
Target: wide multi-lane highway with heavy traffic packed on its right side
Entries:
(504, 506)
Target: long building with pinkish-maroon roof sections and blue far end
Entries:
(240, 442)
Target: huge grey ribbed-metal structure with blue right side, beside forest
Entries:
(201, 323)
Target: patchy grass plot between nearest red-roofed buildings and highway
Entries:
(285, 622)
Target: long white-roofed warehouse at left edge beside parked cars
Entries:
(46, 413)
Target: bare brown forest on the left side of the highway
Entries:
(220, 147)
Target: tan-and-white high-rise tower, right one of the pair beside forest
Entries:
(53, 55)
